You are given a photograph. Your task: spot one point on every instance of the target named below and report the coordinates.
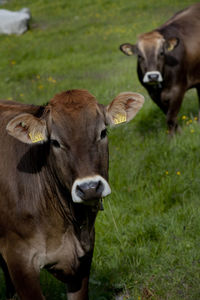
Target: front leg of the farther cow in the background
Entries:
(174, 98)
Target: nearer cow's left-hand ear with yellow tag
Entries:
(28, 129)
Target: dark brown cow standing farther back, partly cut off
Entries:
(169, 61)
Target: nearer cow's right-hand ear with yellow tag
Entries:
(124, 108)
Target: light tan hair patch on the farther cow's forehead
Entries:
(150, 40)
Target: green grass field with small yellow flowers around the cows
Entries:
(147, 238)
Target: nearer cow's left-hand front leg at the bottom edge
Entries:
(24, 275)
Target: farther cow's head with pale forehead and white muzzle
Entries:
(152, 50)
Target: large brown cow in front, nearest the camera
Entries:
(53, 174)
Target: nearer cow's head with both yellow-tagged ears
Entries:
(74, 126)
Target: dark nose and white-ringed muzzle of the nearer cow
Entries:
(90, 189)
